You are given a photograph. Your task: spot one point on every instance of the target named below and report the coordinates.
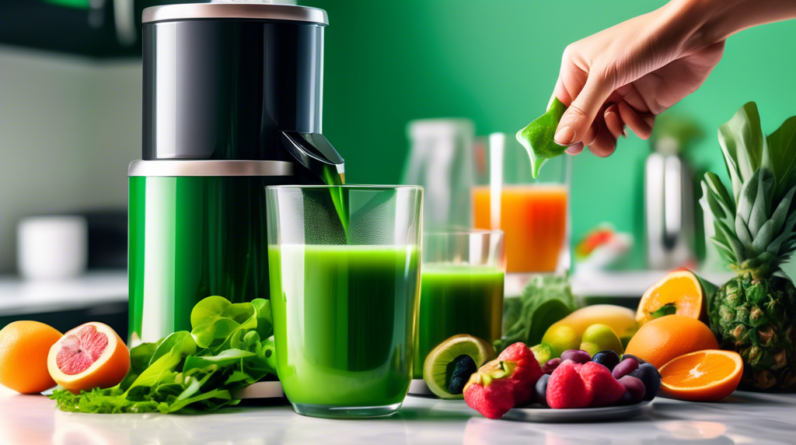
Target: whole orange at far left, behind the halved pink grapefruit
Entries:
(24, 346)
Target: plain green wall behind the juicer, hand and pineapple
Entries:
(496, 62)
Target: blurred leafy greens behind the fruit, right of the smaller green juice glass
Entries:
(545, 300)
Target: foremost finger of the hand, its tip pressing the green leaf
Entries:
(582, 111)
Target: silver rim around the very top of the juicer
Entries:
(190, 11)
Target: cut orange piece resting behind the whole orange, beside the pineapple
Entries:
(679, 293)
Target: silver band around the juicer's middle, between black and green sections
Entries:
(210, 168)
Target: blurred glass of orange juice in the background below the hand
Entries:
(533, 213)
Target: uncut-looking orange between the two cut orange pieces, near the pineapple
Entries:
(665, 338)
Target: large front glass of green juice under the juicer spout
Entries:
(344, 268)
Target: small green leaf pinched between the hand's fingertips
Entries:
(537, 137)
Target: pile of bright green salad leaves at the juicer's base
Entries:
(229, 347)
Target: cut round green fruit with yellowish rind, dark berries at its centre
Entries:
(439, 365)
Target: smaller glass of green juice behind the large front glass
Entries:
(461, 291)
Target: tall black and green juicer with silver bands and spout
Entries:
(232, 103)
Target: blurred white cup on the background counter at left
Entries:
(52, 247)
